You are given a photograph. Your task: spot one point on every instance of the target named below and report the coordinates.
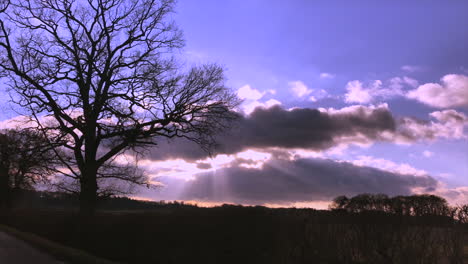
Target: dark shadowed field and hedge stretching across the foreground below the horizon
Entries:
(234, 234)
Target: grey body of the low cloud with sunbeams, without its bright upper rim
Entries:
(287, 181)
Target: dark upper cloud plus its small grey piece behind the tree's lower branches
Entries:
(297, 128)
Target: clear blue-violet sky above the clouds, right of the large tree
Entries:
(356, 40)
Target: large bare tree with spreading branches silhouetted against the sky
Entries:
(98, 76)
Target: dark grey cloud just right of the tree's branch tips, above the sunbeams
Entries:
(309, 128)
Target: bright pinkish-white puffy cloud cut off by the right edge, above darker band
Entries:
(452, 92)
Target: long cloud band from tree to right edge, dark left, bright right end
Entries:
(320, 130)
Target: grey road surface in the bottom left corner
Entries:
(15, 251)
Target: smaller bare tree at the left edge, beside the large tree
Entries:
(25, 160)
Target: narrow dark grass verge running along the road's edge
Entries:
(60, 252)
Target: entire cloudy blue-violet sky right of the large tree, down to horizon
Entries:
(339, 98)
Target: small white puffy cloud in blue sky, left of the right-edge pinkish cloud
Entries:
(358, 92)
